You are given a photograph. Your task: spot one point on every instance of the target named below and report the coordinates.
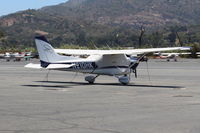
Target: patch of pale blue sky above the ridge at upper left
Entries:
(11, 6)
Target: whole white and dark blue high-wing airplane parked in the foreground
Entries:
(117, 63)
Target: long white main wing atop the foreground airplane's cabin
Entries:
(108, 52)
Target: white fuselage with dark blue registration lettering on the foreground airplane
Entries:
(97, 65)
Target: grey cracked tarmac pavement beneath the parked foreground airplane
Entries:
(165, 98)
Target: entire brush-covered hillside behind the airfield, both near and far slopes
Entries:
(101, 22)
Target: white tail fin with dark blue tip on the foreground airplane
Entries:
(46, 52)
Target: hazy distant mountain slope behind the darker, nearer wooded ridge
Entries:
(130, 12)
